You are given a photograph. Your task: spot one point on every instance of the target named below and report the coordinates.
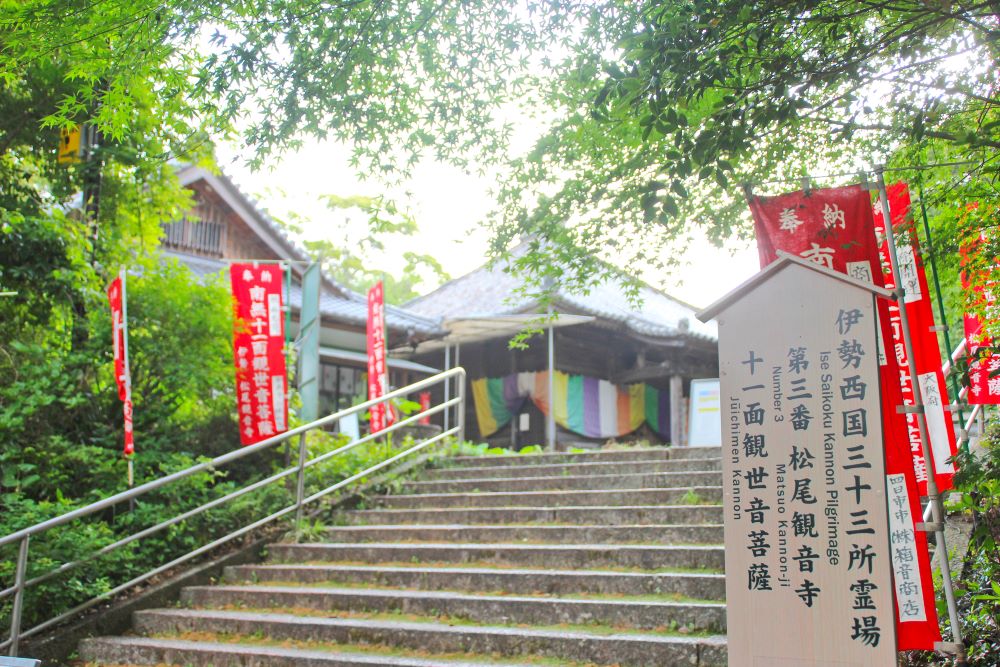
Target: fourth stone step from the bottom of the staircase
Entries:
(517, 581)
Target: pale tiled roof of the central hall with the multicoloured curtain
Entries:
(491, 292)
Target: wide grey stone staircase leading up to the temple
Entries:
(598, 558)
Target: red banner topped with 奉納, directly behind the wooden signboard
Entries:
(834, 228)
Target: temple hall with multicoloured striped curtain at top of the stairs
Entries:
(620, 370)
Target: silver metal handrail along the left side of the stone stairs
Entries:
(23, 537)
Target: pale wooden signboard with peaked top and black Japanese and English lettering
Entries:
(804, 490)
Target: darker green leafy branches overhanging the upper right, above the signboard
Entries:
(665, 108)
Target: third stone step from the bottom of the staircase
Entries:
(495, 609)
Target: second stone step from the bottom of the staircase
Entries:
(627, 650)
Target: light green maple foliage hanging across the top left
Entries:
(424, 75)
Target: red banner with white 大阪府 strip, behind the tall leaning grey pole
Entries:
(926, 352)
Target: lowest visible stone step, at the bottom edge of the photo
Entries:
(149, 651)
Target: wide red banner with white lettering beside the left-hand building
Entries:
(258, 348)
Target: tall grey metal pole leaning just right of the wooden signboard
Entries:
(933, 497)
